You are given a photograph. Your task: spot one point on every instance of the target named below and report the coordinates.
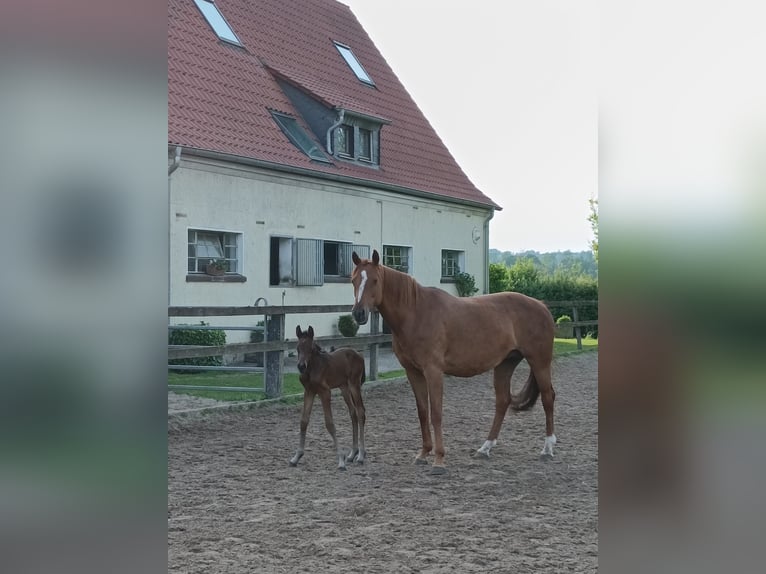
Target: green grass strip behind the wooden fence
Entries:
(292, 386)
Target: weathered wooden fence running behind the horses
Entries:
(275, 345)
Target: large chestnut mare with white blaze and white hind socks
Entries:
(435, 333)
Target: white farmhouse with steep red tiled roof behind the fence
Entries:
(291, 143)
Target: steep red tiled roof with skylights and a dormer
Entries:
(219, 95)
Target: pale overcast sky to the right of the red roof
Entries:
(510, 87)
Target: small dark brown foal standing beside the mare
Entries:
(320, 372)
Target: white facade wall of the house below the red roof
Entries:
(256, 205)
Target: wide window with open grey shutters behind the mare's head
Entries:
(306, 262)
